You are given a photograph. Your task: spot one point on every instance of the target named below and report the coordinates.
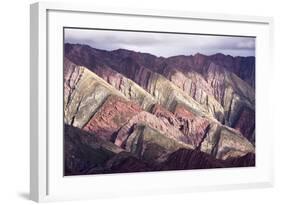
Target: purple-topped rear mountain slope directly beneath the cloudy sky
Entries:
(215, 82)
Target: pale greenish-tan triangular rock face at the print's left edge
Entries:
(85, 93)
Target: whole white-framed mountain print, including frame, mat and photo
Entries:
(147, 101)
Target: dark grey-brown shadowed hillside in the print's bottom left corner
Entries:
(84, 151)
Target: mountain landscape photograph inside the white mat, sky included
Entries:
(145, 101)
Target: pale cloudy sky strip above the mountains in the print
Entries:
(162, 44)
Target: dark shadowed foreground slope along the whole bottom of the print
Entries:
(86, 153)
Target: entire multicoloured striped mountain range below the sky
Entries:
(156, 109)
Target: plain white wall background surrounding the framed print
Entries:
(14, 102)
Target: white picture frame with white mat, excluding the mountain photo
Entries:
(47, 182)
